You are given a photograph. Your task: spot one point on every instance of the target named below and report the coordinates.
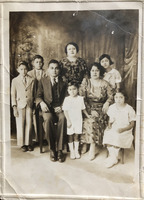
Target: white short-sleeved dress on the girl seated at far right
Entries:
(120, 119)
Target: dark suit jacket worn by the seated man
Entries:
(44, 92)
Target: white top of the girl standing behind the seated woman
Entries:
(113, 77)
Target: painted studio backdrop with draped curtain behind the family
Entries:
(114, 32)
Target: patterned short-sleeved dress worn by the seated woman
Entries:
(95, 97)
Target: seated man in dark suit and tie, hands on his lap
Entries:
(50, 96)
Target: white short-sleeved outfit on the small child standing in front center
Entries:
(74, 107)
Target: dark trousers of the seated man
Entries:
(55, 137)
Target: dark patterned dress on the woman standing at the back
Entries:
(73, 70)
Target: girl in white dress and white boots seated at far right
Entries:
(118, 134)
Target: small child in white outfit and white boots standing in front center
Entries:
(73, 107)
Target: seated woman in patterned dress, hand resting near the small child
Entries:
(98, 96)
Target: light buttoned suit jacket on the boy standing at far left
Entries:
(22, 95)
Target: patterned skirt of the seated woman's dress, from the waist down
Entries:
(93, 128)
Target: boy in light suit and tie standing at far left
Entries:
(22, 96)
